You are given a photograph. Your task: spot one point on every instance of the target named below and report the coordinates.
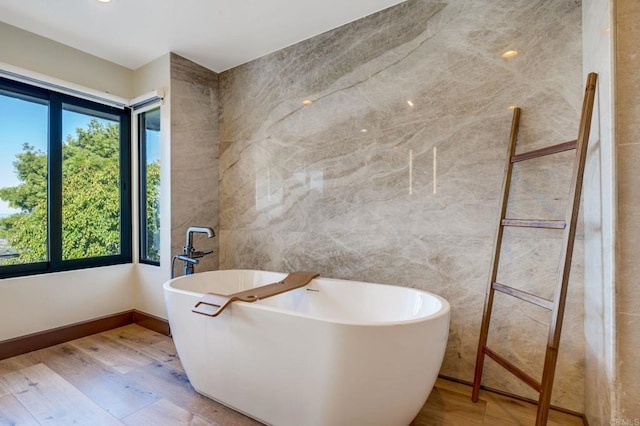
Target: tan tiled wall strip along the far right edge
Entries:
(628, 243)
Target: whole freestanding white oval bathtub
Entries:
(331, 353)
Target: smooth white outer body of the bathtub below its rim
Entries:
(289, 369)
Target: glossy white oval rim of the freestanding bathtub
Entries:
(445, 307)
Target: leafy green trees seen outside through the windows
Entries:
(91, 197)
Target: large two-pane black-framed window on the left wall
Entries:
(64, 182)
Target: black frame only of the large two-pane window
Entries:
(55, 263)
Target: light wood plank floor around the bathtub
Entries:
(132, 376)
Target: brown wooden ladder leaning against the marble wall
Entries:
(569, 225)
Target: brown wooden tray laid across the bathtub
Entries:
(212, 304)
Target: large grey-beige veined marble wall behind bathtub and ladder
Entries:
(375, 152)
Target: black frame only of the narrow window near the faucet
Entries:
(142, 189)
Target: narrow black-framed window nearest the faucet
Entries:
(149, 137)
